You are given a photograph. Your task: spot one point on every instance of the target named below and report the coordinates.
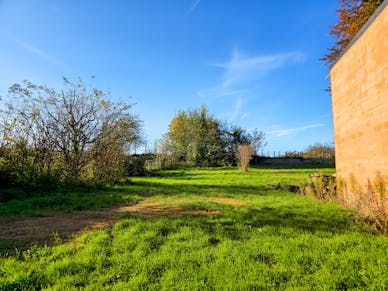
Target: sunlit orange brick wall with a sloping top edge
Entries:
(359, 84)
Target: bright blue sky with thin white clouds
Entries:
(254, 63)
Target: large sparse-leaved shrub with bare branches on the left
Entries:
(78, 128)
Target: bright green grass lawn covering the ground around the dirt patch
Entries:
(203, 229)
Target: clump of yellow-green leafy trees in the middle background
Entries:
(196, 138)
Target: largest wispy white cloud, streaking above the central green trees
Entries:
(240, 72)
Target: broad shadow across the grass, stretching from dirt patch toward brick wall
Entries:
(238, 224)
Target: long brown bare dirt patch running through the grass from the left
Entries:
(28, 230)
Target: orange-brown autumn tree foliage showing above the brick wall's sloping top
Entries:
(352, 15)
